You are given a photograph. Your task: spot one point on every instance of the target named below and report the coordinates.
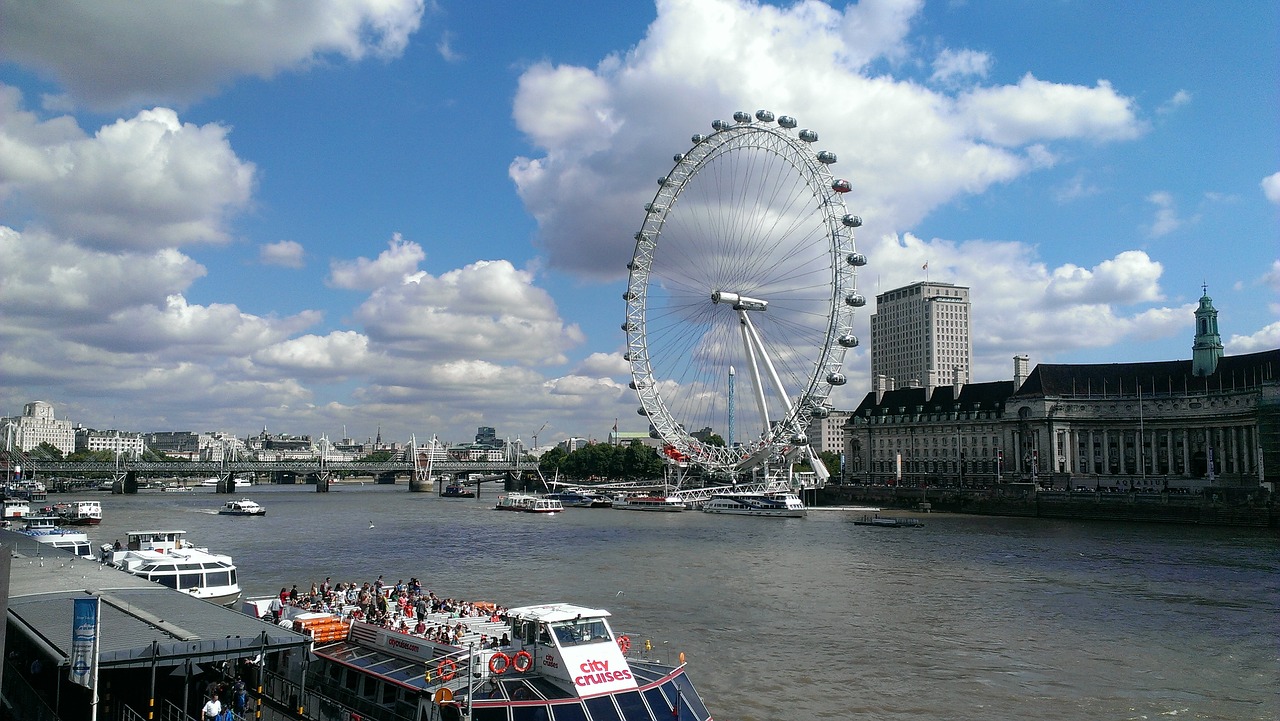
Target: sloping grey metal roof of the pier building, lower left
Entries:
(141, 622)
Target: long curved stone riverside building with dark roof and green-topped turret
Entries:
(1213, 421)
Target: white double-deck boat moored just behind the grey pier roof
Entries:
(168, 559)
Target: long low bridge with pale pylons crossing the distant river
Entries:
(126, 474)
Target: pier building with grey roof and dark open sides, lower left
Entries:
(158, 650)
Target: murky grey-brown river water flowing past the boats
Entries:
(966, 619)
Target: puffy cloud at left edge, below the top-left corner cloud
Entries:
(138, 184)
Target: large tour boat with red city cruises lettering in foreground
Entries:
(563, 661)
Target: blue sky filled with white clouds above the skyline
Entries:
(335, 217)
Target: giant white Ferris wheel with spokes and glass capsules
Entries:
(744, 267)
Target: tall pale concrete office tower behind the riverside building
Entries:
(921, 336)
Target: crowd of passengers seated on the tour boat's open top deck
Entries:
(404, 608)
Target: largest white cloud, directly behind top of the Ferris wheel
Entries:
(907, 149)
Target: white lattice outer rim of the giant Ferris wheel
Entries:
(794, 149)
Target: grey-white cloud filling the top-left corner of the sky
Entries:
(117, 53)
